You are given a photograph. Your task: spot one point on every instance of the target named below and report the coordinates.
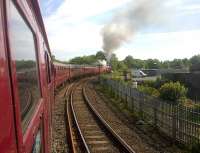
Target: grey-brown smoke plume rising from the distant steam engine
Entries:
(125, 23)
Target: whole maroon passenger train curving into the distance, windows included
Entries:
(28, 78)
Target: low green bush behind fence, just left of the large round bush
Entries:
(149, 91)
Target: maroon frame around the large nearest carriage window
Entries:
(28, 118)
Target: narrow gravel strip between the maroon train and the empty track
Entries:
(59, 142)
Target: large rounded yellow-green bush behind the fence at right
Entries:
(172, 91)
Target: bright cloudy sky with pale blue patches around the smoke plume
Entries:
(74, 29)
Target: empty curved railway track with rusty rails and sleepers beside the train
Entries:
(87, 130)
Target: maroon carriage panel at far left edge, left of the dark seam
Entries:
(7, 126)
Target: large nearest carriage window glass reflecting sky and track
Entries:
(22, 42)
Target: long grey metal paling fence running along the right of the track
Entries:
(178, 122)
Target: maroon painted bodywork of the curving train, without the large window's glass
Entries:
(12, 137)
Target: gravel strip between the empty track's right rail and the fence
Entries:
(139, 140)
